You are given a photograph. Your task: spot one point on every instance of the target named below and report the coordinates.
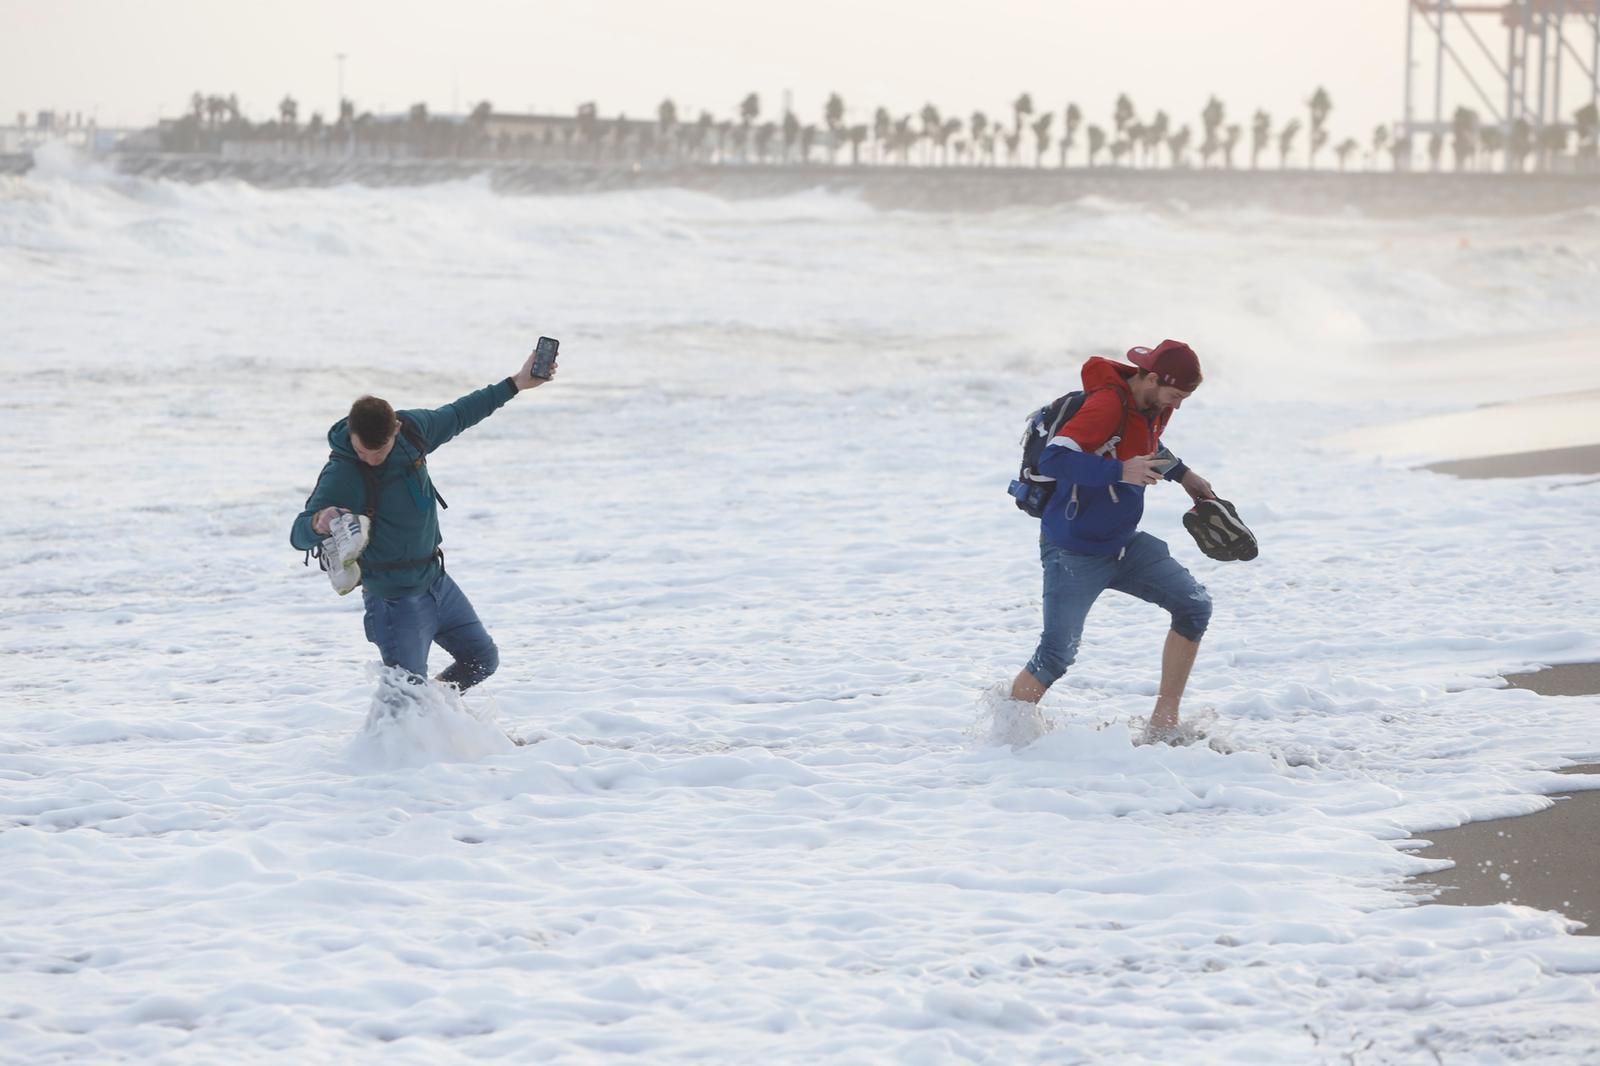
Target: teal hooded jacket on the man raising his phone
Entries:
(406, 515)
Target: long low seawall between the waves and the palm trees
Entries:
(919, 188)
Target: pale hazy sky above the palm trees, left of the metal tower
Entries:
(129, 62)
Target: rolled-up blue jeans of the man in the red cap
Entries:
(1073, 583)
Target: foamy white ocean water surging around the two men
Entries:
(751, 567)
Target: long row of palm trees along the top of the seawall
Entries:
(1025, 137)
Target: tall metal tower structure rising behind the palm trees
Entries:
(1521, 92)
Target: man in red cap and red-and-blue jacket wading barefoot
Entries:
(1103, 459)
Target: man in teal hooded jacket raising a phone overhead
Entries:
(378, 468)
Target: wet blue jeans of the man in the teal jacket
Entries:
(406, 627)
